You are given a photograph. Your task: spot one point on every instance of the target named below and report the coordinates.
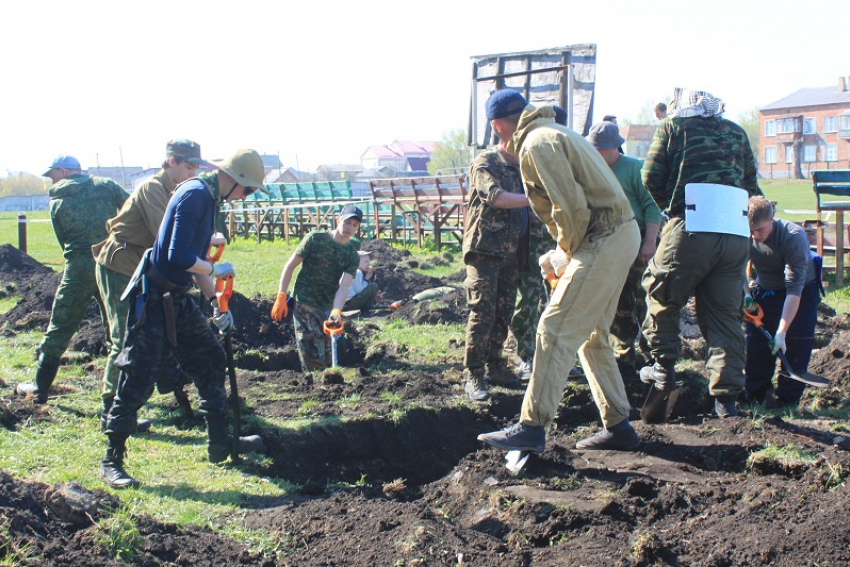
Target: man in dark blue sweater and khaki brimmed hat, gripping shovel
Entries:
(165, 319)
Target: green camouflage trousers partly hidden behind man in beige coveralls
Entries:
(532, 295)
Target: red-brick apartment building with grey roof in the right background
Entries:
(806, 130)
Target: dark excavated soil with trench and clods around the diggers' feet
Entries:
(393, 474)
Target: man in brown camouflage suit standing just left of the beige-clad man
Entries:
(495, 222)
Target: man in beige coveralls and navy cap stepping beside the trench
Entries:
(573, 191)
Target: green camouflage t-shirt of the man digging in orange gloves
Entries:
(325, 261)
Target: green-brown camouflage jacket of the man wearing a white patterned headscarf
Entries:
(697, 150)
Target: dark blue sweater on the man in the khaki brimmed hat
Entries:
(185, 232)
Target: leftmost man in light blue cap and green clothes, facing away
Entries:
(79, 208)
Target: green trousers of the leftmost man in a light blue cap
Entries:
(72, 299)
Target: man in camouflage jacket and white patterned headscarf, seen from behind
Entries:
(697, 145)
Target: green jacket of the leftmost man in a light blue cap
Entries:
(79, 208)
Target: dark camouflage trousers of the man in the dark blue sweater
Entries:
(147, 351)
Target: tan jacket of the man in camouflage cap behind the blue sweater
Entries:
(135, 227)
